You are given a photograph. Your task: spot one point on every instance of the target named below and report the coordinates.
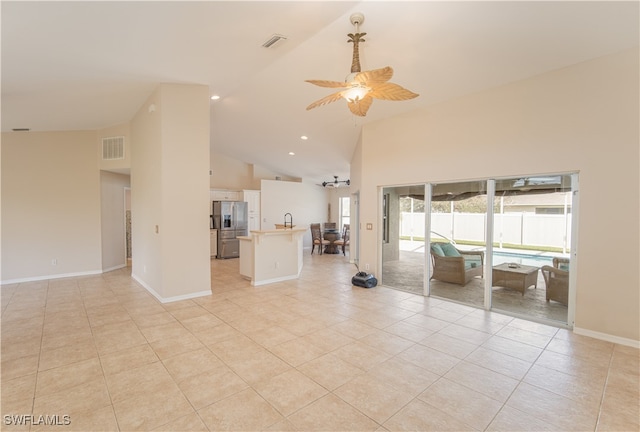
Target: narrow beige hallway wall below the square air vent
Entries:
(112, 209)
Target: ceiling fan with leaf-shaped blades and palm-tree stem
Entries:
(360, 88)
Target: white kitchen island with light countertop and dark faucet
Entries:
(269, 256)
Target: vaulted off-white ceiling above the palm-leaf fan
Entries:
(90, 65)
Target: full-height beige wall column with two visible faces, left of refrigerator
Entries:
(170, 192)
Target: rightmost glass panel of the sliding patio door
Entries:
(531, 244)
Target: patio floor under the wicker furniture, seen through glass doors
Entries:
(407, 274)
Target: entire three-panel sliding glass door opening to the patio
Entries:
(435, 243)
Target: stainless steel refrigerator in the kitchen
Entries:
(231, 220)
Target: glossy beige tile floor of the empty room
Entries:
(310, 354)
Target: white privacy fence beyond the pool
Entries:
(513, 228)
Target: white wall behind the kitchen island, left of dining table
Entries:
(307, 203)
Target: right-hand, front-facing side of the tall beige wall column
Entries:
(185, 201)
